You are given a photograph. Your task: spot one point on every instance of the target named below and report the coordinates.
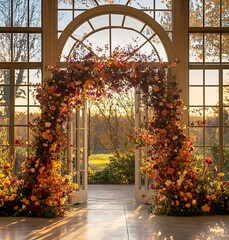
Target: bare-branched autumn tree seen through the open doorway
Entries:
(112, 120)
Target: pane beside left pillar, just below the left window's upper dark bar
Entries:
(35, 47)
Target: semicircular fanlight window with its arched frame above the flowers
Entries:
(114, 26)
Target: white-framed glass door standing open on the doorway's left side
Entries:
(77, 152)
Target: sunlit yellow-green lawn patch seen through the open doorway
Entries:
(97, 162)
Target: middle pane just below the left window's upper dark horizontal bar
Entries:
(20, 47)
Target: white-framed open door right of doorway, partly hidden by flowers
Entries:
(143, 192)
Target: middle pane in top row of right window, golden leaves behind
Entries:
(212, 13)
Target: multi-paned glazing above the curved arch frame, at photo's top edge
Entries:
(159, 10)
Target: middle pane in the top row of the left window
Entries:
(20, 13)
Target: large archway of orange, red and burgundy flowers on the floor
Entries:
(179, 187)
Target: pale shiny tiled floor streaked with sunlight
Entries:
(111, 213)
